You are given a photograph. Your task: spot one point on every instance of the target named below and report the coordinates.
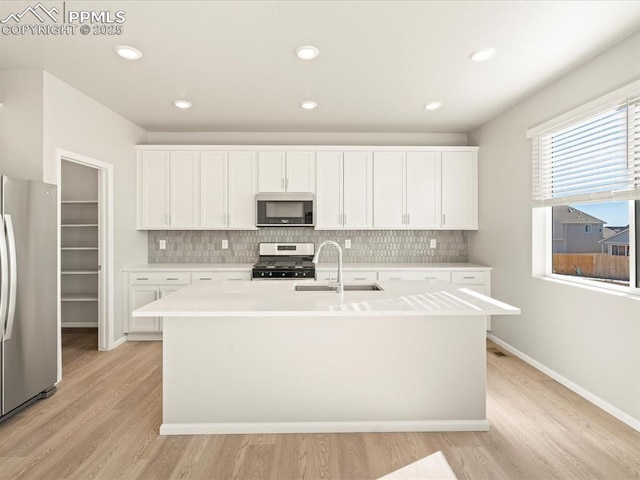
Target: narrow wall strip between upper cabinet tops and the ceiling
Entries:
(305, 138)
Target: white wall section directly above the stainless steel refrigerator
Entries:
(21, 125)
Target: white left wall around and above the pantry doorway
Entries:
(77, 123)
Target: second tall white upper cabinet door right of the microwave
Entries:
(357, 192)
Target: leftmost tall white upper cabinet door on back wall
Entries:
(153, 190)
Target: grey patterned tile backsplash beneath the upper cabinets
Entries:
(367, 246)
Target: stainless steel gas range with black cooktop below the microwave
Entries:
(285, 261)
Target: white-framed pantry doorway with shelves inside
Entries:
(86, 248)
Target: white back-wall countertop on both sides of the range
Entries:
(192, 267)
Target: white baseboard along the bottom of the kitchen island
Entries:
(324, 427)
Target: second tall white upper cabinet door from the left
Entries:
(185, 189)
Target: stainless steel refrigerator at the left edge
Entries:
(28, 293)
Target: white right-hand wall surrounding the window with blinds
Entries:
(590, 338)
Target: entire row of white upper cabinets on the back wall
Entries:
(204, 187)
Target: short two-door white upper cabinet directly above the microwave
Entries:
(286, 172)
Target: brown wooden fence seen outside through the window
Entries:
(594, 265)
